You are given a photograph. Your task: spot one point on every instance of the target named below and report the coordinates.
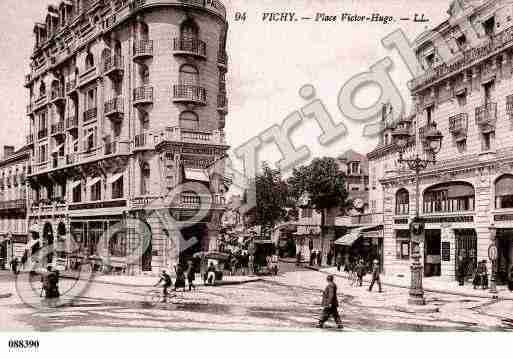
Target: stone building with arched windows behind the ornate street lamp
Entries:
(470, 188)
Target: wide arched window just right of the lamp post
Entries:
(449, 197)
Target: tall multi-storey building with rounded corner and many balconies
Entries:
(127, 103)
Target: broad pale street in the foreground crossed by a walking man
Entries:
(289, 302)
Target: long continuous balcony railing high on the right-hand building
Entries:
(496, 43)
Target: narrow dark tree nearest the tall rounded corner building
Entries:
(271, 197)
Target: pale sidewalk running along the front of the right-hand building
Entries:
(435, 285)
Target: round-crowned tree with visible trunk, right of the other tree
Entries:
(323, 183)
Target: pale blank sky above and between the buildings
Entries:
(269, 63)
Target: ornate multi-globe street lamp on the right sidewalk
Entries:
(433, 138)
